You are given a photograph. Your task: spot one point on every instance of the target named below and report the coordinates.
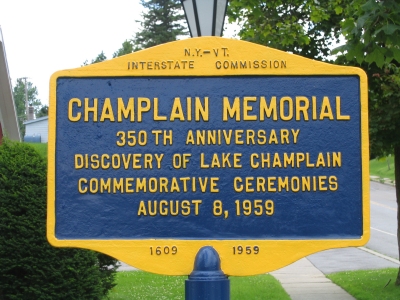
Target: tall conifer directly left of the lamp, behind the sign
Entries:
(162, 23)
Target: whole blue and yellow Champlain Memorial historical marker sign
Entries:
(259, 153)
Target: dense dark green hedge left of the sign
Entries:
(30, 268)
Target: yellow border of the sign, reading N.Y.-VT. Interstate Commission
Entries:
(274, 254)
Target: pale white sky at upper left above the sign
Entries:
(44, 36)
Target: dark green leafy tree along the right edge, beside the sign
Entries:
(372, 32)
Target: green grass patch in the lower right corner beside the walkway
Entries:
(369, 285)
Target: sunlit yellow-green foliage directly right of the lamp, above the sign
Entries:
(305, 27)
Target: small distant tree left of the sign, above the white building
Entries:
(19, 99)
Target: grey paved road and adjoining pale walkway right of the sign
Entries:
(305, 279)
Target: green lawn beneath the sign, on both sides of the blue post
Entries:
(143, 285)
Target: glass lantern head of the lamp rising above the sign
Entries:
(205, 17)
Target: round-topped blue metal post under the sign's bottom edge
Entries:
(207, 281)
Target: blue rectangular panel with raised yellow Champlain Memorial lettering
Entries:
(233, 157)
